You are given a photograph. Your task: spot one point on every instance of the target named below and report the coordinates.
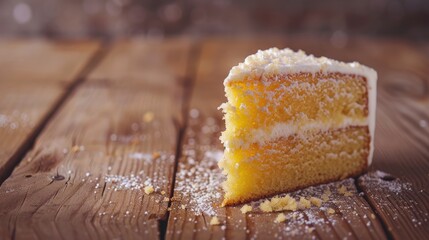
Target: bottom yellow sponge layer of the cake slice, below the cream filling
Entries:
(294, 162)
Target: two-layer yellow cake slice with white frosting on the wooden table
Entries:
(294, 120)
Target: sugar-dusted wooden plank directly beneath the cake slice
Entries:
(197, 192)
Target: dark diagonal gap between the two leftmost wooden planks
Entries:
(28, 144)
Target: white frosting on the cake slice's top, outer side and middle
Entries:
(286, 61)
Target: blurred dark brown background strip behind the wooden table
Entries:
(74, 19)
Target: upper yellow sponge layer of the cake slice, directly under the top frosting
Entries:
(297, 98)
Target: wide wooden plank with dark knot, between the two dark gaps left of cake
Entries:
(86, 175)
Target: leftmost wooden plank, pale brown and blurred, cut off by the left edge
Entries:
(34, 77)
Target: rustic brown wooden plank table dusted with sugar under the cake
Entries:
(86, 126)
